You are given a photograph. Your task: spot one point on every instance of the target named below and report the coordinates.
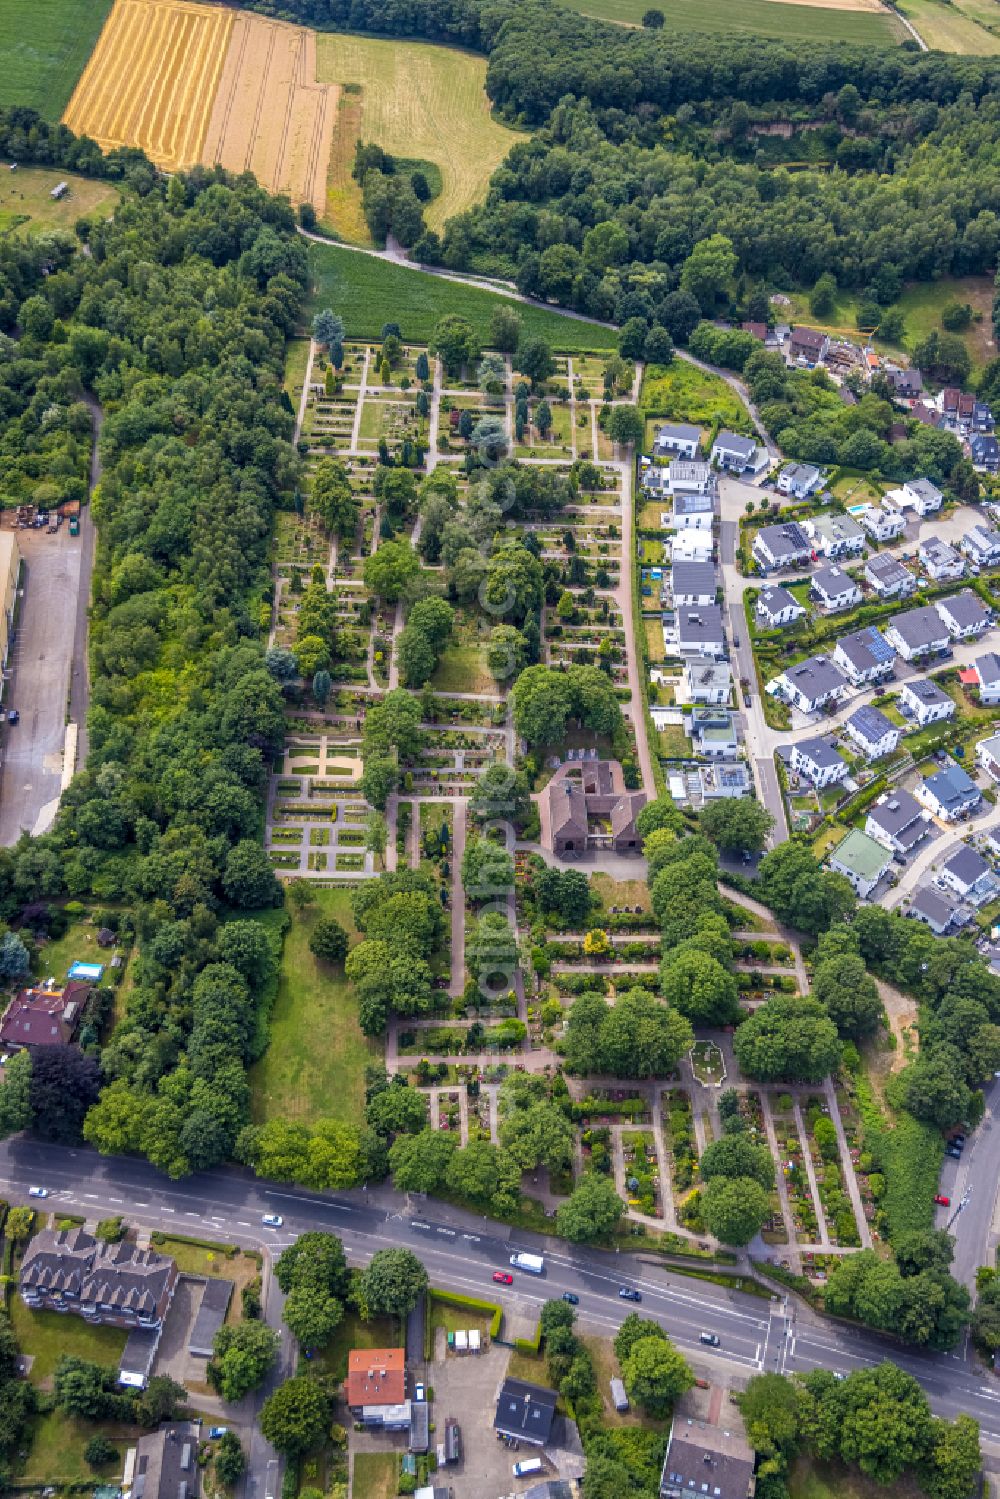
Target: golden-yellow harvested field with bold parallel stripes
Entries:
(152, 79)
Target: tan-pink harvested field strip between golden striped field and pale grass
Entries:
(271, 116)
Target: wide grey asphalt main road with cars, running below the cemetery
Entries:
(463, 1251)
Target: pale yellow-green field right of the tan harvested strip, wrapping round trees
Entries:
(416, 101)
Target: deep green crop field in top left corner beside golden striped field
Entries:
(44, 46)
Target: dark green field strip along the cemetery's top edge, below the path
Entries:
(370, 293)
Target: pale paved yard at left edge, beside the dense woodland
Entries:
(38, 683)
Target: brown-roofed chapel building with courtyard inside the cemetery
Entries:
(579, 794)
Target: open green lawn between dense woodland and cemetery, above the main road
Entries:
(314, 1067)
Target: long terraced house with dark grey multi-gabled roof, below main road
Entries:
(116, 1285)
